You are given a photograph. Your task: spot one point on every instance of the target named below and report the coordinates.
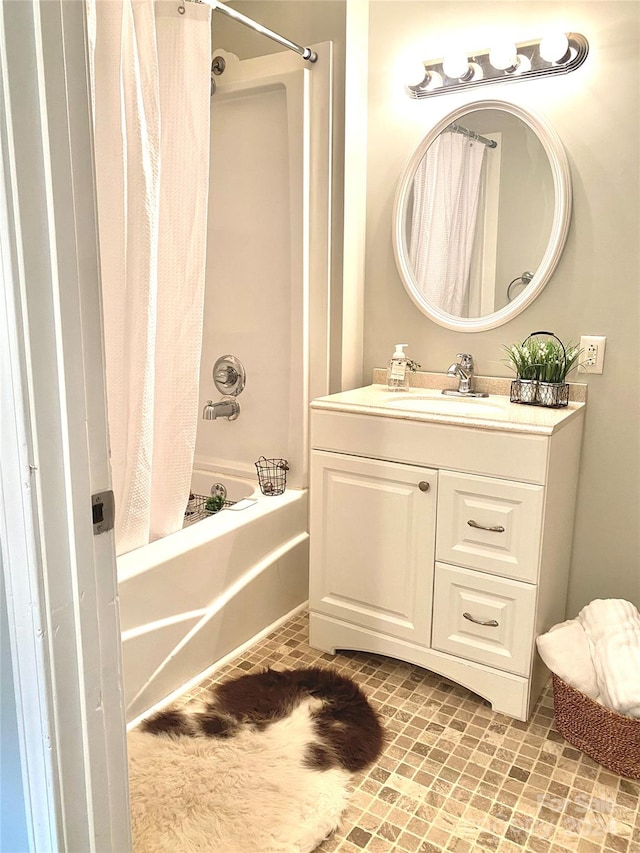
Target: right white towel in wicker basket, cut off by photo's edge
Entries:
(617, 665)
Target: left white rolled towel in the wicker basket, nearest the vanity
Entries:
(565, 650)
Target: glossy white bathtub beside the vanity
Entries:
(198, 596)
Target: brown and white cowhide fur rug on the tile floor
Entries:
(263, 766)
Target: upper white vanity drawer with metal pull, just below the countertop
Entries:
(491, 525)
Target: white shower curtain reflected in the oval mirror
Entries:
(443, 222)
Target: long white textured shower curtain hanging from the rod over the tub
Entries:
(151, 95)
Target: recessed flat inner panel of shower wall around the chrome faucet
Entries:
(249, 277)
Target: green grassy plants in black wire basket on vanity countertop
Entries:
(541, 368)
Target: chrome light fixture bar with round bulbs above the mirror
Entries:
(505, 63)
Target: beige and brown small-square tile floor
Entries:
(455, 776)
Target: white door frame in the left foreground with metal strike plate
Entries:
(59, 578)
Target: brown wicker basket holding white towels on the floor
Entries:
(611, 739)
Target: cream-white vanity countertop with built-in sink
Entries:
(495, 412)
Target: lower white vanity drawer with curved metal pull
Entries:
(464, 599)
